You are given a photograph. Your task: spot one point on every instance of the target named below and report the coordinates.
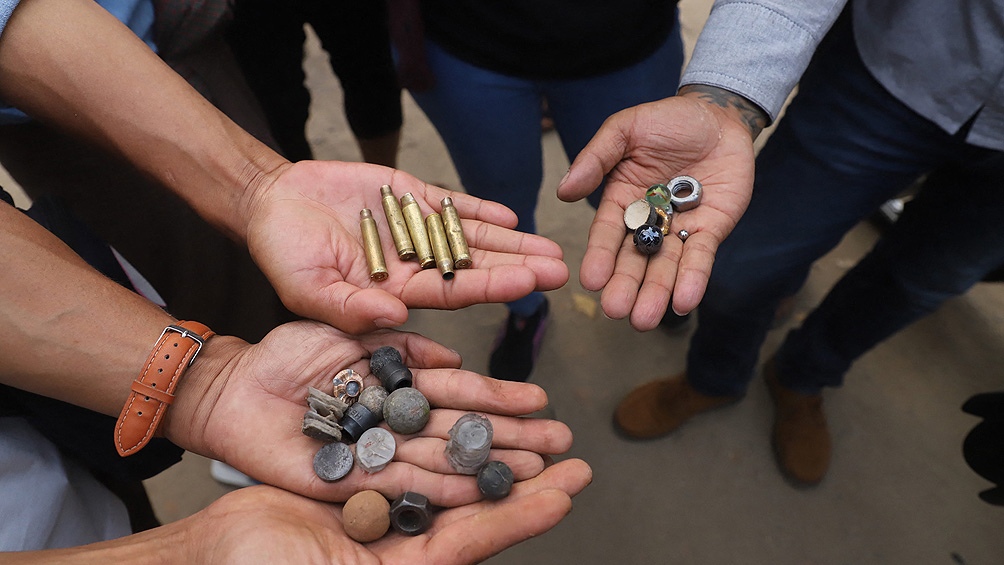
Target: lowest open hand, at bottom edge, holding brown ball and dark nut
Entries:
(268, 525)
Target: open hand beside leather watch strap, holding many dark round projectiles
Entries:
(245, 406)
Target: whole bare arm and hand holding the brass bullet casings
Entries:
(70, 63)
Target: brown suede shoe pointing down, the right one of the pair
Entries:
(802, 438)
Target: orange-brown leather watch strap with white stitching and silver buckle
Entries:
(153, 392)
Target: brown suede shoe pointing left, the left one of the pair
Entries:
(659, 408)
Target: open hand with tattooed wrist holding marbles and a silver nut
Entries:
(691, 135)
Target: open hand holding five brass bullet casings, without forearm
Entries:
(304, 232)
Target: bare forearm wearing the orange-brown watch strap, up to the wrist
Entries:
(71, 334)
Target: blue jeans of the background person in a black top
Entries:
(490, 123)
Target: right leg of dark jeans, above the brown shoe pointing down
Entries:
(947, 239)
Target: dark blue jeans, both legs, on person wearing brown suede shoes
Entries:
(846, 147)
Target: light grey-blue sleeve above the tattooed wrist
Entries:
(760, 49)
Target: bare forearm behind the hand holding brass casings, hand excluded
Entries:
(71, 64)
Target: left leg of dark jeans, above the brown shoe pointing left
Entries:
(845, 147)
